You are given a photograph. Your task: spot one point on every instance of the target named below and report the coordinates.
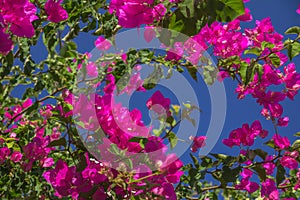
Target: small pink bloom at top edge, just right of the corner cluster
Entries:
(56, 13)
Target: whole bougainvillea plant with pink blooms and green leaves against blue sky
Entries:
(59, 140)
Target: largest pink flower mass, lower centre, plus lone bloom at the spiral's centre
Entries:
(120, 127)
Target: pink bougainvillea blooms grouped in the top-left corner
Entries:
(16, 17)
